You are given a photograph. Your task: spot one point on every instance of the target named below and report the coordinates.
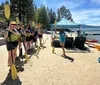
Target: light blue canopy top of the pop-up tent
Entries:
(64, 23)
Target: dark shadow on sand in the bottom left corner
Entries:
(9, 81)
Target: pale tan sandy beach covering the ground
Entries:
(52, 69)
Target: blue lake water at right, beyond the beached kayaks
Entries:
(91, 31)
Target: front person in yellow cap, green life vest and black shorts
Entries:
(11, 36)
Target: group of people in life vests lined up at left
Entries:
(16, 34)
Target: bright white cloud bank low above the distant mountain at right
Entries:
(85, 17)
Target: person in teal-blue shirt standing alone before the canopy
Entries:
(62, 36)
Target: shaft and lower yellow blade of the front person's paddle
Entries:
(13, 68)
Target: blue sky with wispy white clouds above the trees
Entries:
(83, 11)
